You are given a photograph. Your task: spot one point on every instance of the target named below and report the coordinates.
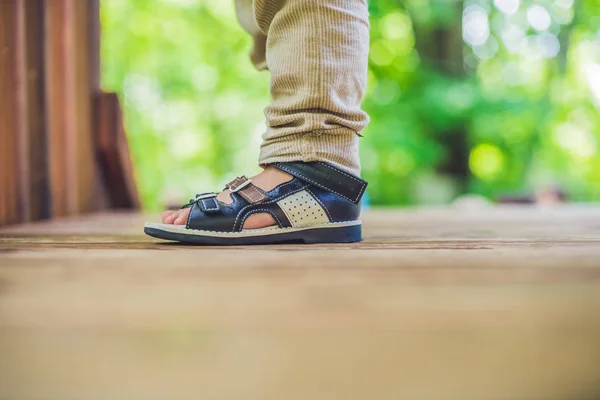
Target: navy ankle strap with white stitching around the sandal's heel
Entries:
(326, 177)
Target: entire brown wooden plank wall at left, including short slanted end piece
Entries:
(59, 155)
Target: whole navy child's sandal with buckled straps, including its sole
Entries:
(321, 204)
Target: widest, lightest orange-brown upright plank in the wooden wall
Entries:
(72, 161)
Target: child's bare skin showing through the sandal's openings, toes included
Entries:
(266, 180)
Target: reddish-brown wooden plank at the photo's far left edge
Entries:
(10, 117)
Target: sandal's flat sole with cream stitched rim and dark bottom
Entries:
(333, 232)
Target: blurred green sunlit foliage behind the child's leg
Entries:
(488, 97)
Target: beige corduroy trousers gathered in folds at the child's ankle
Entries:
(316, 52)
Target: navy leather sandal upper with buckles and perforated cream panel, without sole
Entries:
(288, 203)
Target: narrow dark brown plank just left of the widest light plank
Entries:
(35, 131)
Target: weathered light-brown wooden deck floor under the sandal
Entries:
(434, 304)
